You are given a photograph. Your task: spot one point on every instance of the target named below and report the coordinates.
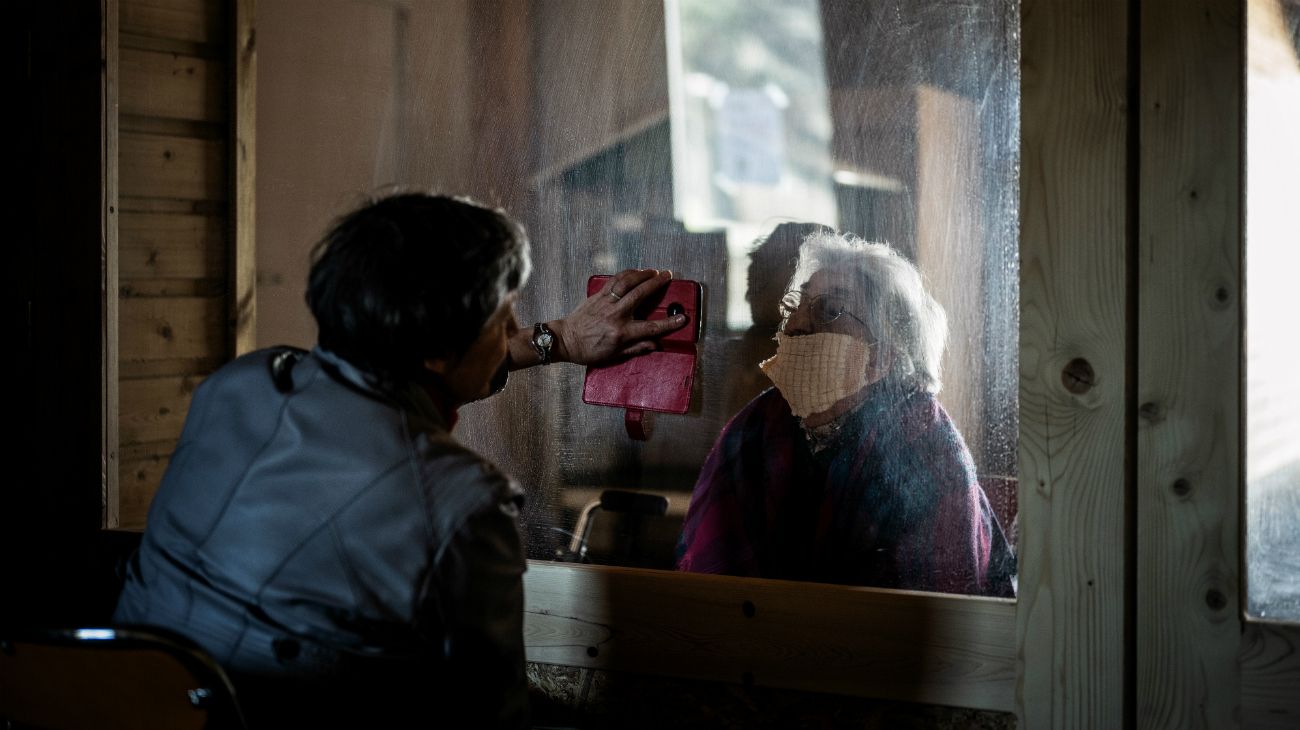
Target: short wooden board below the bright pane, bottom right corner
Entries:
(1271, 667)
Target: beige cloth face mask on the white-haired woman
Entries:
(816, 372)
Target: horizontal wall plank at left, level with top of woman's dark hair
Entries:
(164, 246)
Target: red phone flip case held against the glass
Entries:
(657, 381)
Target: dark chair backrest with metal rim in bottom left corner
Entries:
(112, 679)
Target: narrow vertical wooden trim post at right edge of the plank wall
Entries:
(244, 154)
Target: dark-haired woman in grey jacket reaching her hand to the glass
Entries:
(319, 529)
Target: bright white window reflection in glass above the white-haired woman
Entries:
(751, 121)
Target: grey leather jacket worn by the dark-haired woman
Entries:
(336, 550)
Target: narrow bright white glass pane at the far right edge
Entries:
(1272, 349)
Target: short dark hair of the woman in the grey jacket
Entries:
(413, 277)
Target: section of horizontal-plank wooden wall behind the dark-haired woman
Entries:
(177, 228)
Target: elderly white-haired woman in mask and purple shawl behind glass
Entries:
(850, 471)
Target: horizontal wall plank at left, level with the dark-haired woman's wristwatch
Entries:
(172, 329)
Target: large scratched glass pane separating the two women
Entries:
(682, 136)
